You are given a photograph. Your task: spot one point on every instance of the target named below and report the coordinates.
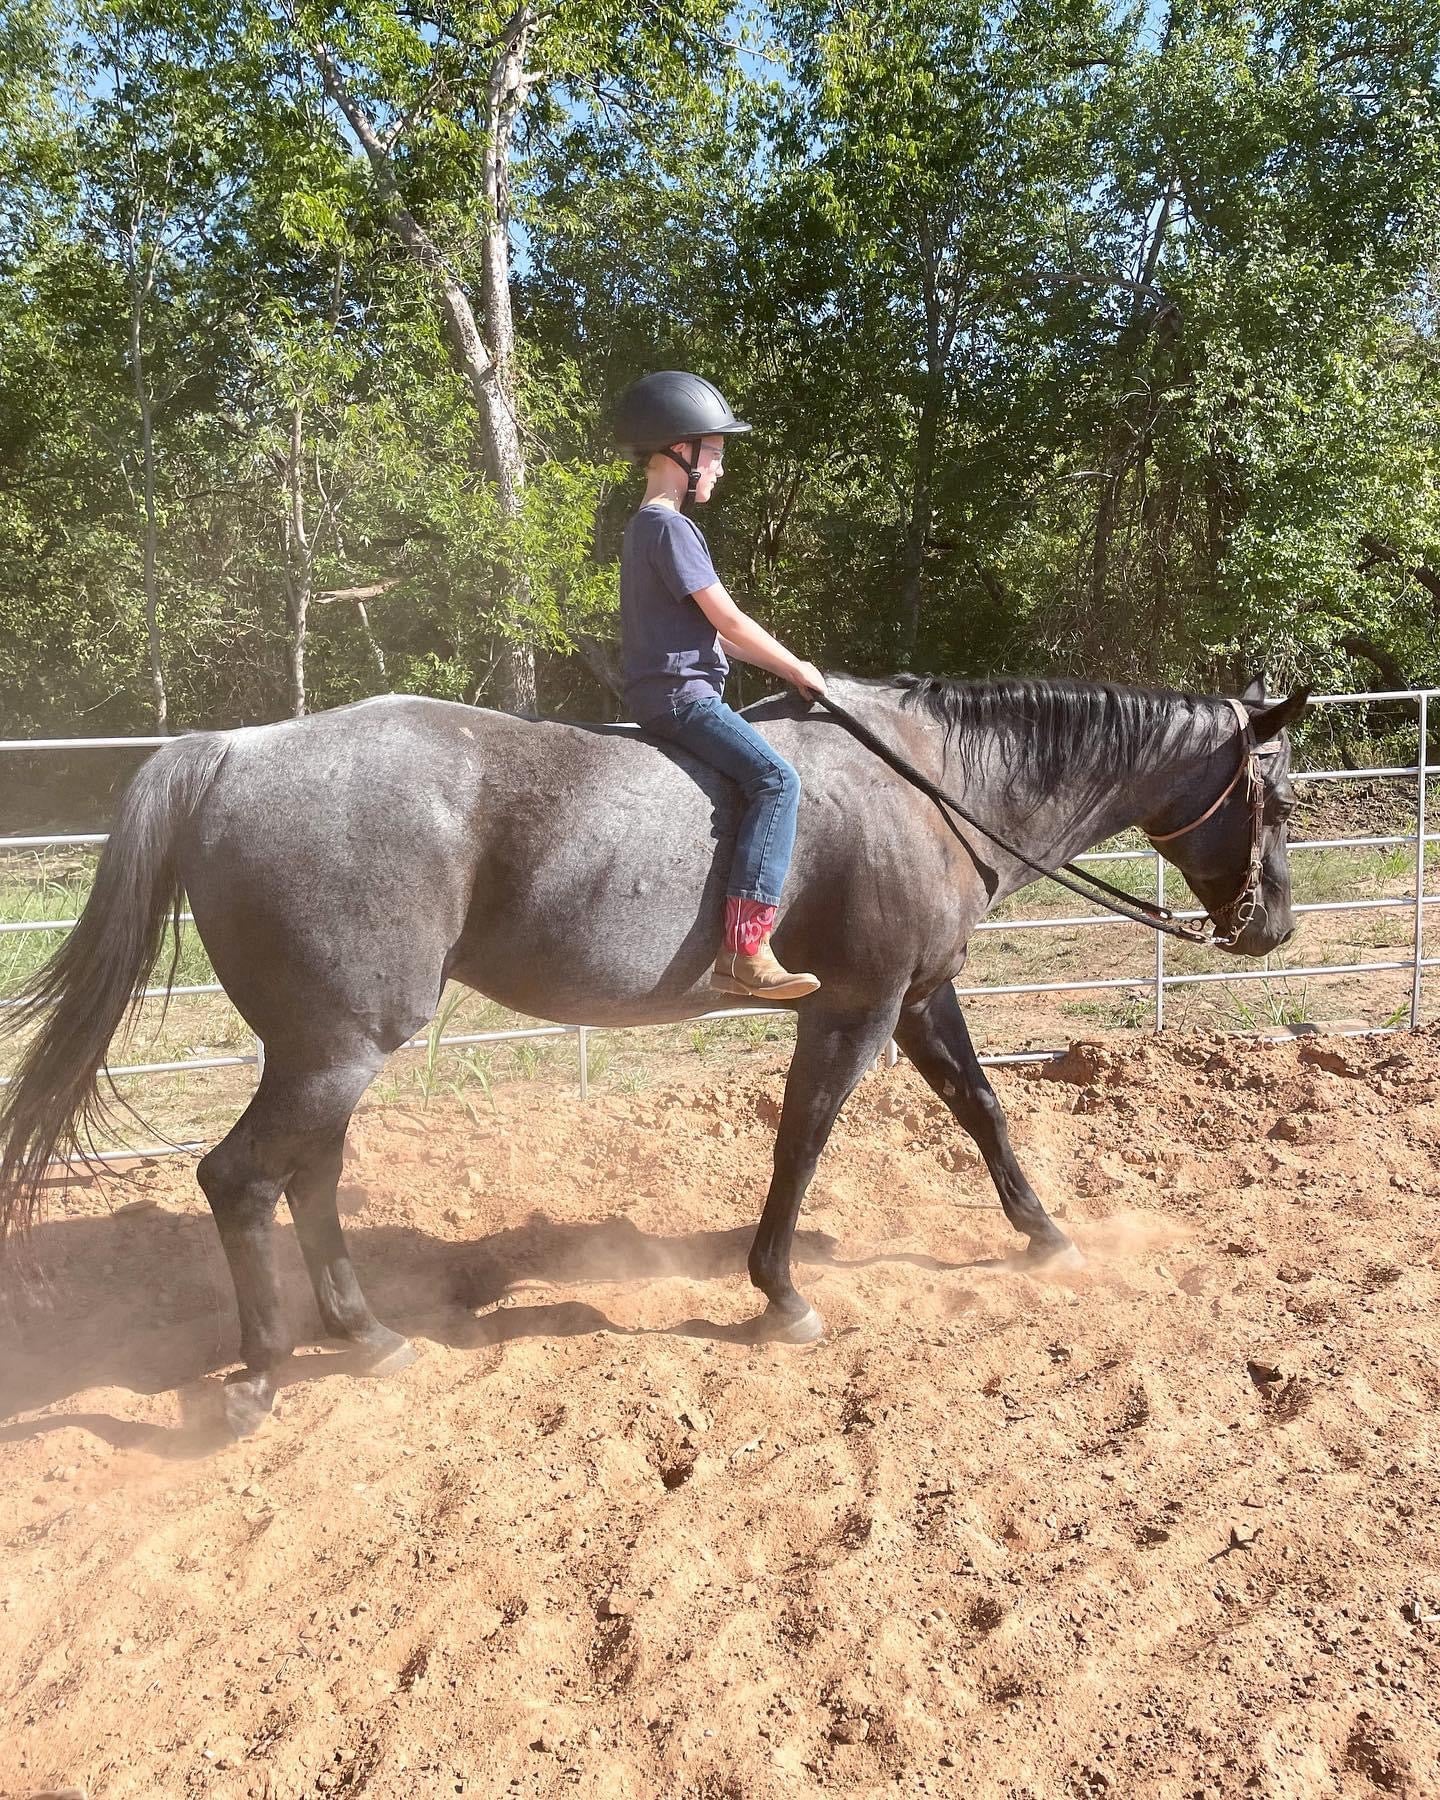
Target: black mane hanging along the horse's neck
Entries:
(1048, 732)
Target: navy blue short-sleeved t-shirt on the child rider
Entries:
(670, 652)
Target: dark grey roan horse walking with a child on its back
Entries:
(343, 867)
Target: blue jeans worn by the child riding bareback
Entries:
(771, 787)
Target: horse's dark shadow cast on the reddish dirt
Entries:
(143, 1302)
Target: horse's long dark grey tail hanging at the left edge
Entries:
(98, 973)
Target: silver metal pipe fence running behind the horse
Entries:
(1160, 982)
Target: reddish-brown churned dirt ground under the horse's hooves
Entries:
(1162, 1527)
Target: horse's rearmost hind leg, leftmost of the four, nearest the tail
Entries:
(292, 1120)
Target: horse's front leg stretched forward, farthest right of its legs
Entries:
(937, 1041)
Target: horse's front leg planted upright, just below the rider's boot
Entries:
(832, 1054)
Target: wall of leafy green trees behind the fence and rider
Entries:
(1075, 339)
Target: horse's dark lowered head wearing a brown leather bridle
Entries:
(1234, 854)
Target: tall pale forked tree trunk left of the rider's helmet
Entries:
(489, 366)
